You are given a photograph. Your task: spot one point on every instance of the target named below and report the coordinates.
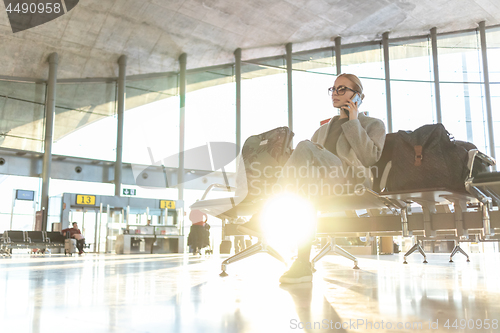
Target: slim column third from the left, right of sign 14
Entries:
(182, 109)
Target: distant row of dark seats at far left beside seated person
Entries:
(32, 240)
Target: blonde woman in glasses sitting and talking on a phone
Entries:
(349, 143)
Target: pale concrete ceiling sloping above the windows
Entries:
(153, 33)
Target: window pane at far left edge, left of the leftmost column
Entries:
(22, 114)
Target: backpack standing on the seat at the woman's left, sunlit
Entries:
(261, 159)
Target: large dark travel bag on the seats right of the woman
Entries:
(427, 158)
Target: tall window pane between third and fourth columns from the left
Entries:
(210, 112)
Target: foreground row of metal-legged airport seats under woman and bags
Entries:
(426, 214)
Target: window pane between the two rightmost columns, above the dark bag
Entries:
(462, 89)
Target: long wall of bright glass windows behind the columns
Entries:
(86, 121)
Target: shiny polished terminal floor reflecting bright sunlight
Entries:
(184, 293)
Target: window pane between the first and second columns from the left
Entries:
(85, 122)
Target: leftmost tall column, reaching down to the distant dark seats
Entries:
(50, 110)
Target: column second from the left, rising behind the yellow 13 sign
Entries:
(122, 63)
